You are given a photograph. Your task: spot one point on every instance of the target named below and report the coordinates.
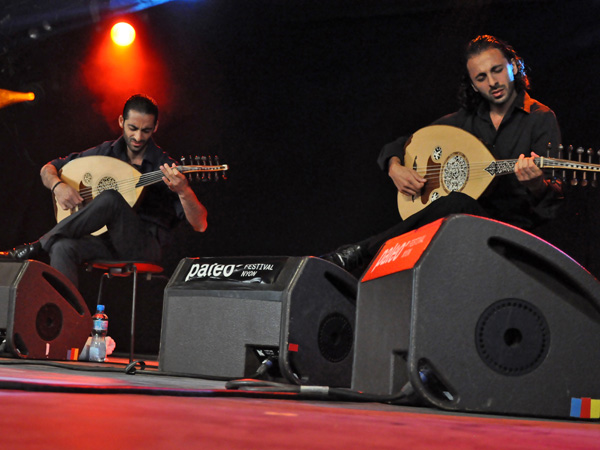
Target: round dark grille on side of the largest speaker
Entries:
(512, 337)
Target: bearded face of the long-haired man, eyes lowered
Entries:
(493, 76)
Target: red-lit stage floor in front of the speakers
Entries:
(95, 405)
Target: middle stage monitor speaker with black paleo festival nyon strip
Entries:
(223, 316)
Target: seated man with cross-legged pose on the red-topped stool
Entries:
(133, 234)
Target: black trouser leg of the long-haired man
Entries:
(454, 203)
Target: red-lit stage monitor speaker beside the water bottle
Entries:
(42, 315)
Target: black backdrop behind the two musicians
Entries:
(298, 97)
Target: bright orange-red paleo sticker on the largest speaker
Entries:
(402, 252)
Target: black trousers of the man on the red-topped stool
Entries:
(70, 243)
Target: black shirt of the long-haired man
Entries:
(527, 126)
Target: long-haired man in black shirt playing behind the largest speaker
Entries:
(496, 108)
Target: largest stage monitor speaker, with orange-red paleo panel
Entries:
(478, 316)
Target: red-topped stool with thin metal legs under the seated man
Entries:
(125, 269)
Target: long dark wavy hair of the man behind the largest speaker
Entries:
(467, 97)
